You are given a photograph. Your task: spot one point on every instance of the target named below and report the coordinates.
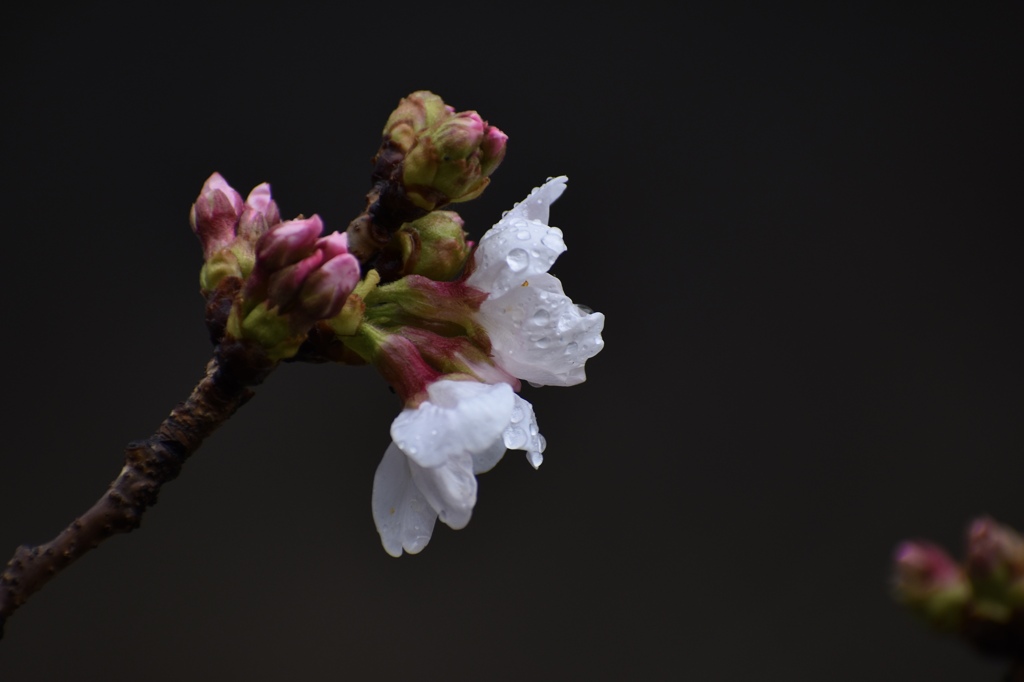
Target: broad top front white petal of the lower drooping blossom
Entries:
(458, 418)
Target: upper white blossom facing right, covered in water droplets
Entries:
(538, 334)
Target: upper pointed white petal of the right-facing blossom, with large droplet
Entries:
(521, 245)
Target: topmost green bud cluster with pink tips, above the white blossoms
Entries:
(448, 156)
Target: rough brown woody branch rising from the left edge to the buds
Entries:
(149, 464)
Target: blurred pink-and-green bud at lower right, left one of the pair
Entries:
(930, 583)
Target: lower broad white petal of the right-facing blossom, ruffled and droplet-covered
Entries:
(540, 335)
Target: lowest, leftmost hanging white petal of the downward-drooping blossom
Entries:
(404, 519)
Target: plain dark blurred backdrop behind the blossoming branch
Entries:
(804, 229)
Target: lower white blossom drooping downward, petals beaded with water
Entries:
(430, 471)
